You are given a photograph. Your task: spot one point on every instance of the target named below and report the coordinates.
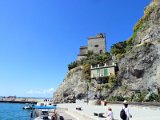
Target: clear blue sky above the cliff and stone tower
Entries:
(39, 38)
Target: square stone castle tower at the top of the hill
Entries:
(97, 44)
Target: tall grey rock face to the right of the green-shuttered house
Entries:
(140, 67)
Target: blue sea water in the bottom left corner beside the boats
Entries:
(14, 111)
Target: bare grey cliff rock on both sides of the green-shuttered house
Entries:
(139, 69)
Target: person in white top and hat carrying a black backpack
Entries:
(125, 114)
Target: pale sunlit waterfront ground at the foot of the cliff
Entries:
(88, 110)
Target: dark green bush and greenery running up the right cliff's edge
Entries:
(119, 49)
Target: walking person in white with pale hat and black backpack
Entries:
(126, 109)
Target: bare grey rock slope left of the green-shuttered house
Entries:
(74, 85)
